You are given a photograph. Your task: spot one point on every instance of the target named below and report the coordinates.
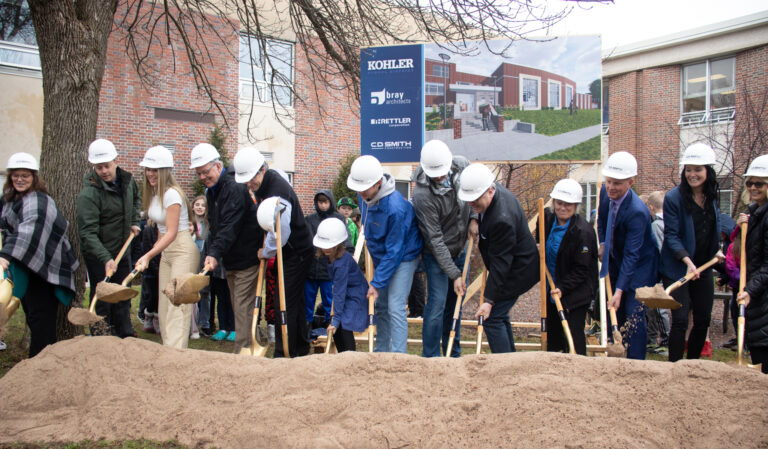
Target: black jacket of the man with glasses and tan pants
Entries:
(235, 236)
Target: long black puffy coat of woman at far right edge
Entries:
(756, 329)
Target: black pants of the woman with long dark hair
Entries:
(695, 296)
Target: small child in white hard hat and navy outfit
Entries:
(350, 308)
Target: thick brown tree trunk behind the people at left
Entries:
(72, 40)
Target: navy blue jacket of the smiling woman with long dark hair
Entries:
(680, 237)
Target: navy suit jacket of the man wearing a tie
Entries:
(636, 256)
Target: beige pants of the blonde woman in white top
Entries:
(180, 257)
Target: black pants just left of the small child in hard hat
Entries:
(295, 274)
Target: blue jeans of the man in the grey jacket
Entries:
(438, 312)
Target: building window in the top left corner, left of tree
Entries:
(18, 44)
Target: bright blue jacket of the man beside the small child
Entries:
(391, 234)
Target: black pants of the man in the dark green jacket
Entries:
(117, 316)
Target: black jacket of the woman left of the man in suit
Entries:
(576, 271)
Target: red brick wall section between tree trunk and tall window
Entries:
(126, 107)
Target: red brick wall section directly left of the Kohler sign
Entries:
(327, 129)
